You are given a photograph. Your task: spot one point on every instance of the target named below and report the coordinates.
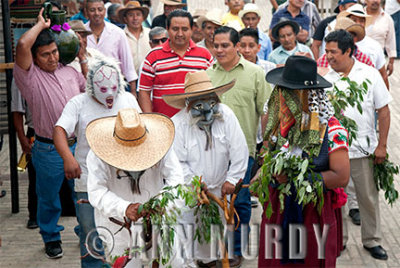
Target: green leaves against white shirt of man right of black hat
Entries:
(353, 95)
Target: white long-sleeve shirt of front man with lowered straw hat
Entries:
(111, 196)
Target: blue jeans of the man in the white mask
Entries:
(85, 215)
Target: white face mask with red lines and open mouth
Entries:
(105, 85)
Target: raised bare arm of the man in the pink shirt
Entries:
(24, 55)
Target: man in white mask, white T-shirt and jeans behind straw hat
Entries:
(105, 95)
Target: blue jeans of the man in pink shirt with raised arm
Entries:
(49, 168)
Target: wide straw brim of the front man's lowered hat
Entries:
(159, 138)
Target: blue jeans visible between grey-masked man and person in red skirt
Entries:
(243, 208)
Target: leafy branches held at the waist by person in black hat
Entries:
(307, 184)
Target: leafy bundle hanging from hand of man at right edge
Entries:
(384, 179)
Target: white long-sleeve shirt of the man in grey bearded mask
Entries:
(225, 161)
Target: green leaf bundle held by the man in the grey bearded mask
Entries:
(207, 214)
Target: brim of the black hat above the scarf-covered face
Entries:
(275, 77)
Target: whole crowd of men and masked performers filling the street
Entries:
(152, 101)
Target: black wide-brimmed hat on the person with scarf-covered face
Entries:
(299, 72)
